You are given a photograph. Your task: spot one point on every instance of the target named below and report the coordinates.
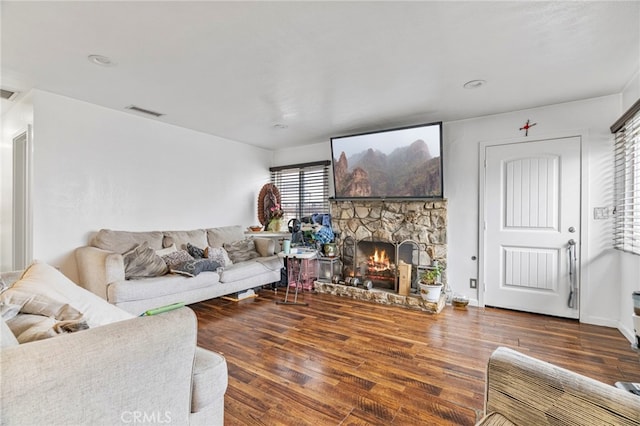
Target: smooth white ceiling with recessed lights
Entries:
(234, 69)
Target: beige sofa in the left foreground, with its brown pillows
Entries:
(121, 370)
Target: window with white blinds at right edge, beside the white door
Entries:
(627, 181)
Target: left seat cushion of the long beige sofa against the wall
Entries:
(148, 288)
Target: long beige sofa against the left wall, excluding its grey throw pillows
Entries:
(101, 268)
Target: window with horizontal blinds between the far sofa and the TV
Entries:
(304, 188)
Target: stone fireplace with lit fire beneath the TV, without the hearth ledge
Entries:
(374, 236)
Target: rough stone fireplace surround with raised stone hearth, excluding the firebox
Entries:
(394, 221)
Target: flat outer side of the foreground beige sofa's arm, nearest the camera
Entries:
(139, 367)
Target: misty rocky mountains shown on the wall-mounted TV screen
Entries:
(408, 171)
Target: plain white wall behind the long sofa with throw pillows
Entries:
(99, 168)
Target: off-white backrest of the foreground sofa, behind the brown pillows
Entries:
(45, 280)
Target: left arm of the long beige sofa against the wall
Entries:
(98, 268)
